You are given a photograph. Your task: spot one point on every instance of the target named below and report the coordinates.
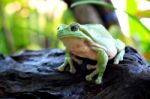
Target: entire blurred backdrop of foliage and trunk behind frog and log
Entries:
(32, 24)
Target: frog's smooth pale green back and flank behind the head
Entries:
(101, 36)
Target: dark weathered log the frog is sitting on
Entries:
(32, 75)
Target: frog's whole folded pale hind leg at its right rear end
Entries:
(121, 51)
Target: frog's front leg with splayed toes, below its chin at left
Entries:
(66, 61)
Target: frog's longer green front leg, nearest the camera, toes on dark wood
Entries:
(102, 59)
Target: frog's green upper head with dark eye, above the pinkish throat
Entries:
(72, 30)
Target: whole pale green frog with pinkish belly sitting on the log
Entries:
(91, 41)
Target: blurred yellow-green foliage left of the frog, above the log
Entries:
(31, 24)
